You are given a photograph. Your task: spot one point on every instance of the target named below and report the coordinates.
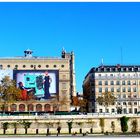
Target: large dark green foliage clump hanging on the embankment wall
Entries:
(124, 126)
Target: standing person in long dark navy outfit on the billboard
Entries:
(47, 82)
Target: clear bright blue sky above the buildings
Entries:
(92, 30)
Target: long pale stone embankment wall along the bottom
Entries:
(85, 122)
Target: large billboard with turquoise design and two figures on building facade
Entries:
(43, 84)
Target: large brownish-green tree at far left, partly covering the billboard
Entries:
(9, 92)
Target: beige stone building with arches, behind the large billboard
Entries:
(65, 82)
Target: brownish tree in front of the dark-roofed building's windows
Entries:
(106, 99)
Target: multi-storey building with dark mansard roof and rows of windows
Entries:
(123, 81)
